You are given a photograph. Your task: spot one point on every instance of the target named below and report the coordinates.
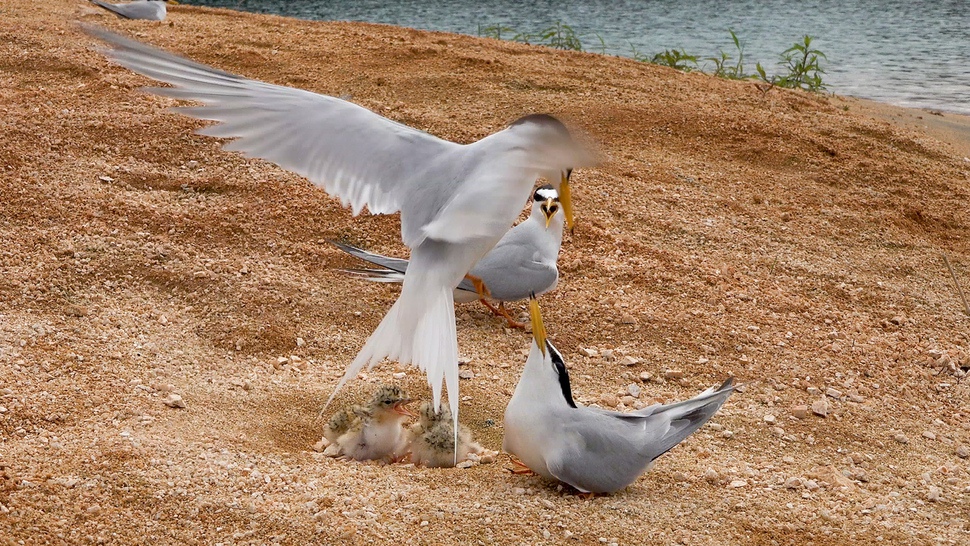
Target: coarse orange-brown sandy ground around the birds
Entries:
(792, 240)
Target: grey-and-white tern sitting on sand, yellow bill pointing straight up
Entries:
(593, 450)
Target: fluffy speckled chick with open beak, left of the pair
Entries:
(377, 432)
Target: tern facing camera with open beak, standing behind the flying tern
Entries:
(522, 263)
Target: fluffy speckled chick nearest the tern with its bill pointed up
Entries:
(432, 439)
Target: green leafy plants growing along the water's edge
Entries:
(802, 62)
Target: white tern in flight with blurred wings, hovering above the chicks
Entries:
(456, 200)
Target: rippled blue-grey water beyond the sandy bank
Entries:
(909, 53)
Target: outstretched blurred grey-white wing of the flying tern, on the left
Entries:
(353, 153)
